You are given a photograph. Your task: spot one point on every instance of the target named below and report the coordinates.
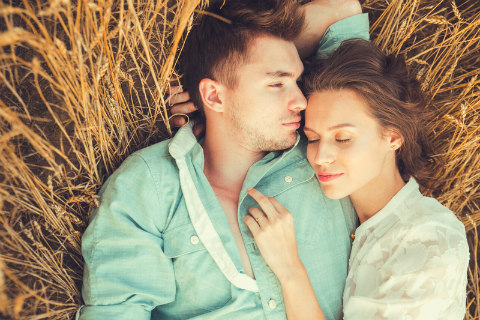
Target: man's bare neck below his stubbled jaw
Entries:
(226, 161)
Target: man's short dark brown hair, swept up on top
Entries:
(215, 48)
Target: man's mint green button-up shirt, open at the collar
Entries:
(159, 246)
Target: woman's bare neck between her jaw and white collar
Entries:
(374, 196)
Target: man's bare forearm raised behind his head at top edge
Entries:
(319, 15)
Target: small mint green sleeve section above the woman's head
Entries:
(354, 27)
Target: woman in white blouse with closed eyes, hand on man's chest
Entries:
(366, 140)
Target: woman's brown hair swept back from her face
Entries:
(393, 95)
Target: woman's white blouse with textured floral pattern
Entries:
(409, 261)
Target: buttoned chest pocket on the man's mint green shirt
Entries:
(200, 284)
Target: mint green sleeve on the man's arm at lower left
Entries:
(126, 273)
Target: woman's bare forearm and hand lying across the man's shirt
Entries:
(274, 233)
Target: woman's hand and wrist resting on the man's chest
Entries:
(274, 233)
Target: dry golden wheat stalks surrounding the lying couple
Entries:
(83, 83)
